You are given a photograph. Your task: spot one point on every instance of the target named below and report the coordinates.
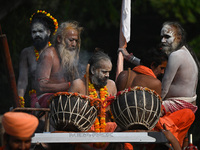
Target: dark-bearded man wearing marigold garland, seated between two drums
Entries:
(100, 86)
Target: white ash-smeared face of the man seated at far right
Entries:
(168, 39)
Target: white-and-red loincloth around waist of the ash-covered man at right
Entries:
(176, 103)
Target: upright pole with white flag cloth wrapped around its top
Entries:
(124, 31)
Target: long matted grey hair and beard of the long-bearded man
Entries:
(69, 59)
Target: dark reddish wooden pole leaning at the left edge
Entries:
(9, 69)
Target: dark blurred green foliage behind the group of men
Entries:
(100, 19)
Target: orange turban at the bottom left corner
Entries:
(19, 124)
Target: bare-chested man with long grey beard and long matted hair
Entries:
(57, 66)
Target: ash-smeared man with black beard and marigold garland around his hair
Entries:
(43, 25)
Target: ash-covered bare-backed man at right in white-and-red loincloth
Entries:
(179, 83)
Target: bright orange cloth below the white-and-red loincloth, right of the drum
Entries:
(177, 122)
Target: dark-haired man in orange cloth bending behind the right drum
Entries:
(154, 63)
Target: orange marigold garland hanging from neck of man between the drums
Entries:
(99, 125)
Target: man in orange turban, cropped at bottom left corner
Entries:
(19, 128)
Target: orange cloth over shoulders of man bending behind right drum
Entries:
(144, 70)
